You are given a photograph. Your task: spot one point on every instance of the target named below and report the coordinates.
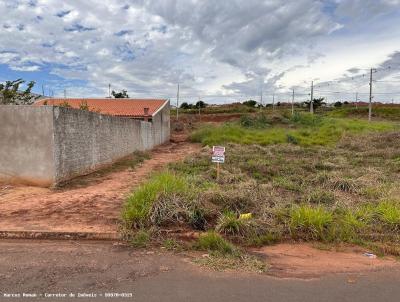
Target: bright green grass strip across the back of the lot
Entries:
(305, 130)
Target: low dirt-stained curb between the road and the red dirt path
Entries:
(49, 235)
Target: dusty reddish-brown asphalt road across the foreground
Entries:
(97, 268)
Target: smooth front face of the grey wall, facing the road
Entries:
(26, 145)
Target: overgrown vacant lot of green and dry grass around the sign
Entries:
(299, 177)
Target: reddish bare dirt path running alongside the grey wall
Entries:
(95, 208)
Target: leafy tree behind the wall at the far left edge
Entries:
(11, 95)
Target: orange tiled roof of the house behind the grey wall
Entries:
(117, 107)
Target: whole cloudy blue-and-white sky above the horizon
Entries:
(219, 51)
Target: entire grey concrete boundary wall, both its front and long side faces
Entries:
(46, 145)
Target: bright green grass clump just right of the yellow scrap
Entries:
(311, 222)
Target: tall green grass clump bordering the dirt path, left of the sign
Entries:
(137, 207)
